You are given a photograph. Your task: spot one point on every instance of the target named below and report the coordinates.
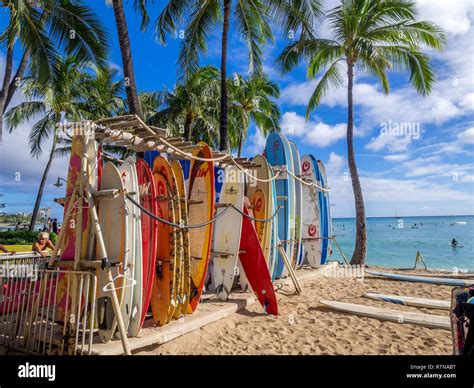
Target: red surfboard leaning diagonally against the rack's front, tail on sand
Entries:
(255, 267)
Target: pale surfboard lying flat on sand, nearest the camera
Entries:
(397, 316)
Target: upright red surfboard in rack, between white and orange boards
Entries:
(147, 196)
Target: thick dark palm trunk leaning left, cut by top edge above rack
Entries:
(125, 49)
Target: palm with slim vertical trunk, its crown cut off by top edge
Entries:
(251, 20)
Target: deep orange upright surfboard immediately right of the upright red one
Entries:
(163, 293)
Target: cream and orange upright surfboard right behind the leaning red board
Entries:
(266, 209)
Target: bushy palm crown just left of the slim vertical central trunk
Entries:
(191, 109)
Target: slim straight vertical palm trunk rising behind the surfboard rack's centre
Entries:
(225, 33)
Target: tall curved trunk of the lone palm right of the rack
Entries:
(360, 251)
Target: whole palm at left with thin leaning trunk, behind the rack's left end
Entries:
(72, 93)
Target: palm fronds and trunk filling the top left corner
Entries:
(44, 29)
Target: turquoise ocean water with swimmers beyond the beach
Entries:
(394, 242)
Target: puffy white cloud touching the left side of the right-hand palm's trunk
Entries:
(311, 132)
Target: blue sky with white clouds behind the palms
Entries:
(426, 170)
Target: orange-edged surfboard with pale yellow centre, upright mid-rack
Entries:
(201, 194)
